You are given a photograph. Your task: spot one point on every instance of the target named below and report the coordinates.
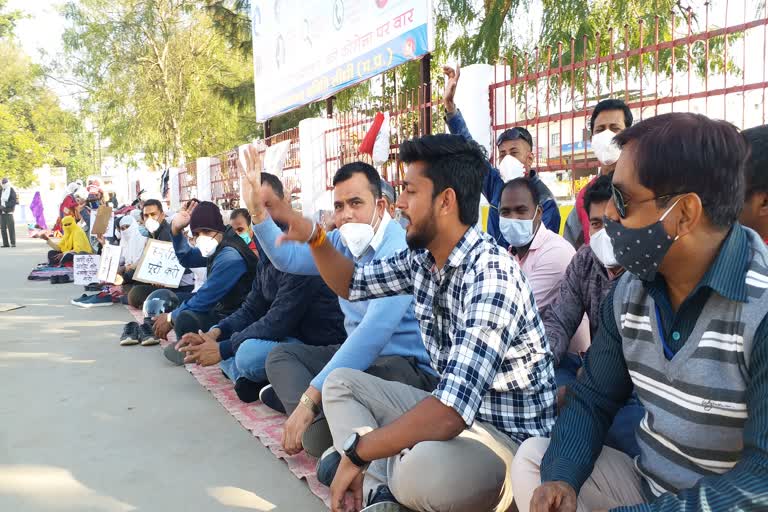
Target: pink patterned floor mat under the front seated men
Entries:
(264, 423)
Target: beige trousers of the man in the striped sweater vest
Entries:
(614, 481)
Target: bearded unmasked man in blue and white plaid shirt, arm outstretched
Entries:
(450, 449)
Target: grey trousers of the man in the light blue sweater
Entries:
(291, 368)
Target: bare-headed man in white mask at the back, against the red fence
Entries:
(609, 118)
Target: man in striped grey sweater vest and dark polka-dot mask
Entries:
(686, 325)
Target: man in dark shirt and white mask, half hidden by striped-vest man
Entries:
(588, 279)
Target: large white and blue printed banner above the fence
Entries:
(307, 51)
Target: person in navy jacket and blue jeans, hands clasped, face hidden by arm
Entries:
(281, 308)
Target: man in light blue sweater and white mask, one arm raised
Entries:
(382, 334)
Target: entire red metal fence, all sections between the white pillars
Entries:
(685, 65)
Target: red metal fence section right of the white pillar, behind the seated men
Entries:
(717, 72)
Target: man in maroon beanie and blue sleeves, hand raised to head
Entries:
(231, 268)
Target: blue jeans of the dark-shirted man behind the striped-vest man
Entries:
(621, 435)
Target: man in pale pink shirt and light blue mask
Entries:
(542, 254)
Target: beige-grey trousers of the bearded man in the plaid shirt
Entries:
(468, 473)
